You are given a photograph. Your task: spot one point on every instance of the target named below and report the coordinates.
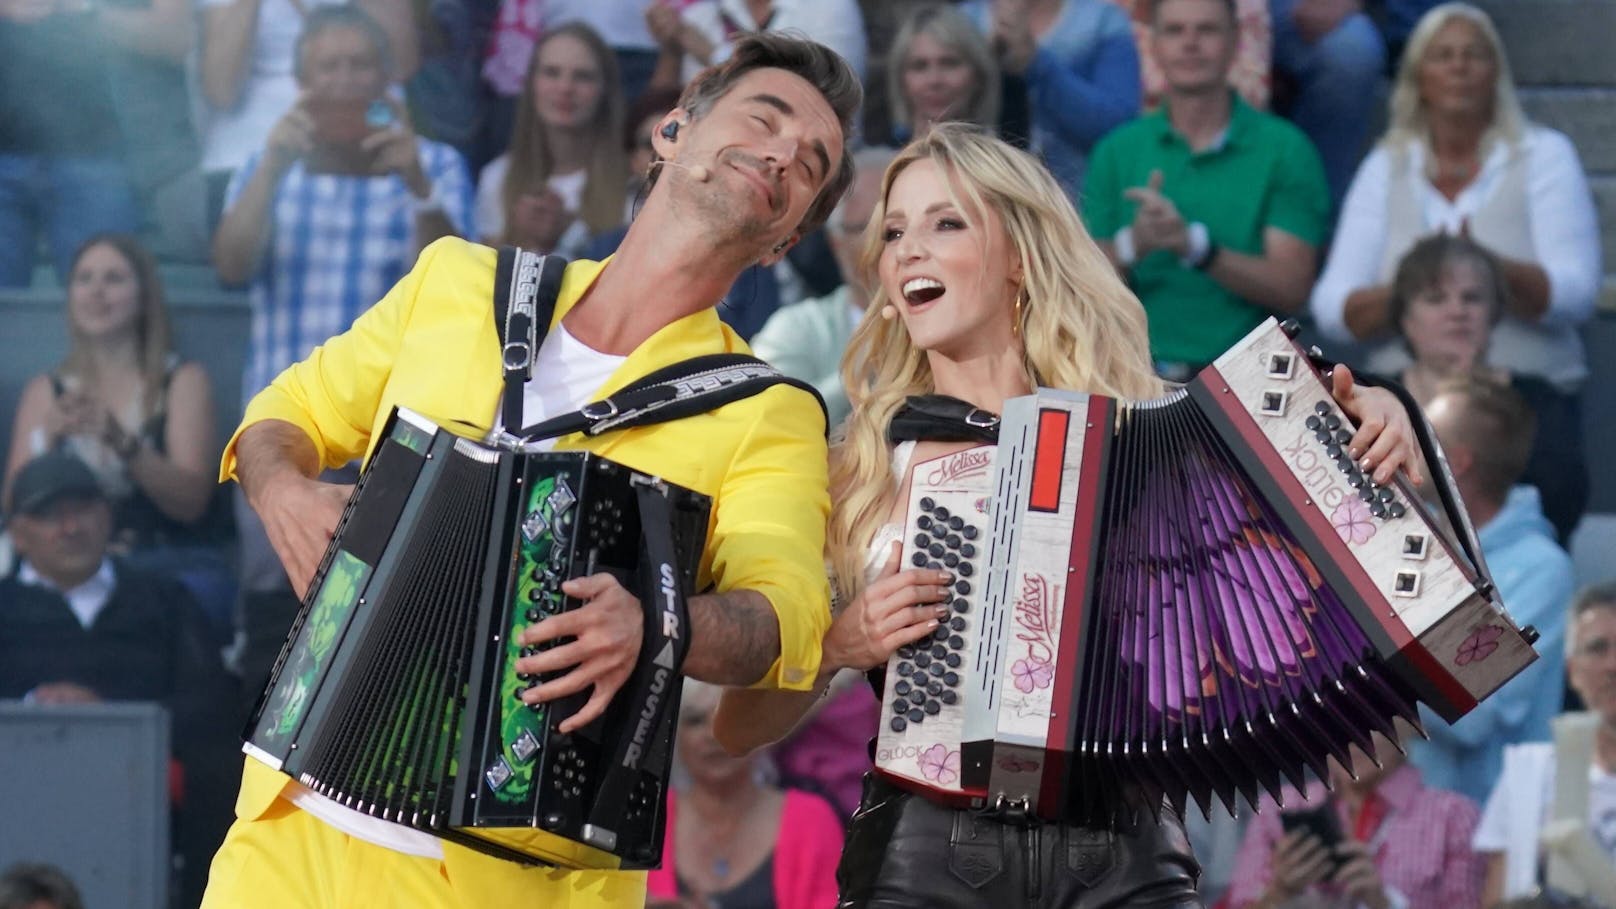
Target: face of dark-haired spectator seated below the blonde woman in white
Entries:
(1449, 323)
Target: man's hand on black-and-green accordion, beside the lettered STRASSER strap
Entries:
(605, 643)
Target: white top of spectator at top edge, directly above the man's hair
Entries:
(833, 23)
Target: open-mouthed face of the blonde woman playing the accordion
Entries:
(951, 274)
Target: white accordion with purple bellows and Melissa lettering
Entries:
(1189, 599)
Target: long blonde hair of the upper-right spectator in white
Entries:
(1408, 124)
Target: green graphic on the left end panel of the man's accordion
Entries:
(308, 664)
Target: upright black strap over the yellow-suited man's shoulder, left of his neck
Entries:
(526, 290)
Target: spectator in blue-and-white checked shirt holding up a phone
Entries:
(322, 221)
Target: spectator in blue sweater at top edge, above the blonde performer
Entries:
(1080, 66)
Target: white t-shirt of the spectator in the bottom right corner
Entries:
(1521, 805)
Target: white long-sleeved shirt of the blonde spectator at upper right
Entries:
(1559, 208)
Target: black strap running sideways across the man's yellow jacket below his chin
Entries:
(684, 389)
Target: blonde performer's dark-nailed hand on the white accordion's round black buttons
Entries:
(898, 609)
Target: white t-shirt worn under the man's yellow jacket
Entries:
(566, 376)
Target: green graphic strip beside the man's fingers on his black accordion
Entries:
(547, 522)
